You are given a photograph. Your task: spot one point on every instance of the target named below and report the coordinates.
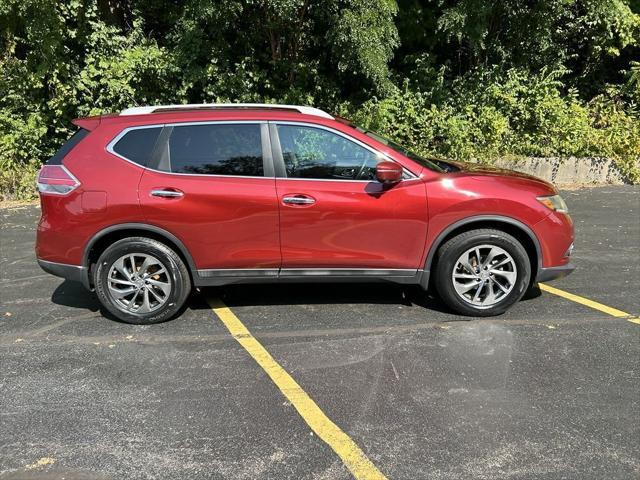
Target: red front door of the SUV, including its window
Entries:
(334, 215)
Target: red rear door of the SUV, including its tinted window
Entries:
(211, 185)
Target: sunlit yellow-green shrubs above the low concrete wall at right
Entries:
(488, 115)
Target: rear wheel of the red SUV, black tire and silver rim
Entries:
(141, 281)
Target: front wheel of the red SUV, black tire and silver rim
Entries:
(482, 272)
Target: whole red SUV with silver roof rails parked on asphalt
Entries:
(144, 205)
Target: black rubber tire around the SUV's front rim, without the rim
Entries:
(447, 258)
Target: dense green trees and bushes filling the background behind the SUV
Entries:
(468, 79)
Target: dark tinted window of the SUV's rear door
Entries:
(215, 149)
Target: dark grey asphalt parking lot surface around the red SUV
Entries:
(550, 390)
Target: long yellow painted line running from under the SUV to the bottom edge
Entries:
(353, 458)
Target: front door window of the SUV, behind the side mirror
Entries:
(316, 153)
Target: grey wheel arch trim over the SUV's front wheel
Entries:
(516, 228)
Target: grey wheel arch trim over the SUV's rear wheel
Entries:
(111, 234)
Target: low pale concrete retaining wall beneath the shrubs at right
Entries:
(571, 170)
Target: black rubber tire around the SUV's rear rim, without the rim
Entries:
(176, 273)
